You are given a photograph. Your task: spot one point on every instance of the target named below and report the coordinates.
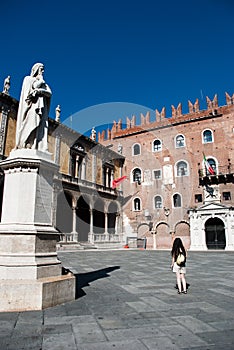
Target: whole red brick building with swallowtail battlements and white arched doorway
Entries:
(179, 175)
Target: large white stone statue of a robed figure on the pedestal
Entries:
(32, 118)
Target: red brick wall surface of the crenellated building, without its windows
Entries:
(191, 126)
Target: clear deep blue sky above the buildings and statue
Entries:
(142, 53)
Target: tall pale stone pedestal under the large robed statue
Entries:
(30, 272)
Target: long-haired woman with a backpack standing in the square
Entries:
(178, 266)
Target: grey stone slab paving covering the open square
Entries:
(126, 299)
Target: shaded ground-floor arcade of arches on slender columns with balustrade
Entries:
(87, 219)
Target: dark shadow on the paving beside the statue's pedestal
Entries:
(84, 279)
